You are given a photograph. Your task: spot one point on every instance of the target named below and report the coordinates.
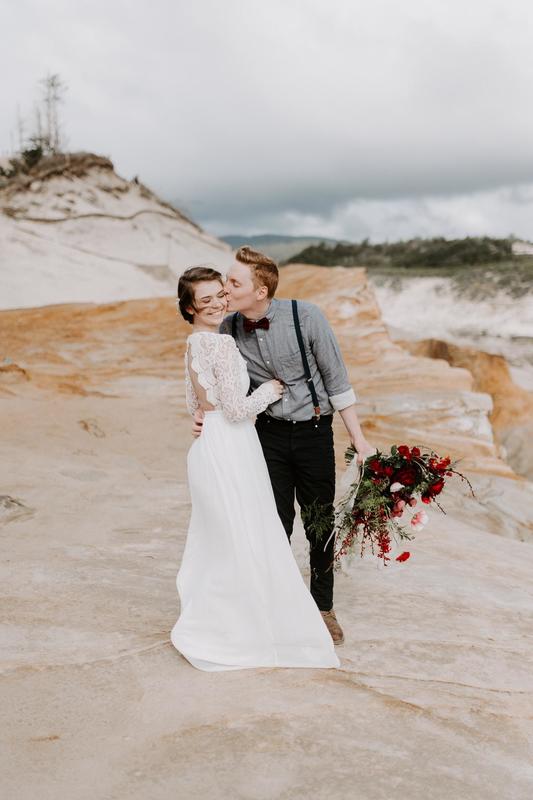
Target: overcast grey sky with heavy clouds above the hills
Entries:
(340, 118)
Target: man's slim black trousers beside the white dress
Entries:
(301, 464)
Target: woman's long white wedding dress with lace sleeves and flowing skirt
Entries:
(244, 603)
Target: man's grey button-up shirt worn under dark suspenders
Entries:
(275, 354)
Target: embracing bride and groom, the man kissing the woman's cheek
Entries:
(244, 603)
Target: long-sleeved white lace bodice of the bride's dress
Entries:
(221, 370)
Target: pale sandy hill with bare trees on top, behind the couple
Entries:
(74, 231)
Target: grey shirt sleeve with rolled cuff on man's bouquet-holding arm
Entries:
(329, 360)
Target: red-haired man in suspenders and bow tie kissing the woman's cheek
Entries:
(296, 432)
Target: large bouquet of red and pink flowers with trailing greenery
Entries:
(387, 490)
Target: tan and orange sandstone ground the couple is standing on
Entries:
(434, 695)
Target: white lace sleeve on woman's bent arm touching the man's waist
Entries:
(231, 395)
